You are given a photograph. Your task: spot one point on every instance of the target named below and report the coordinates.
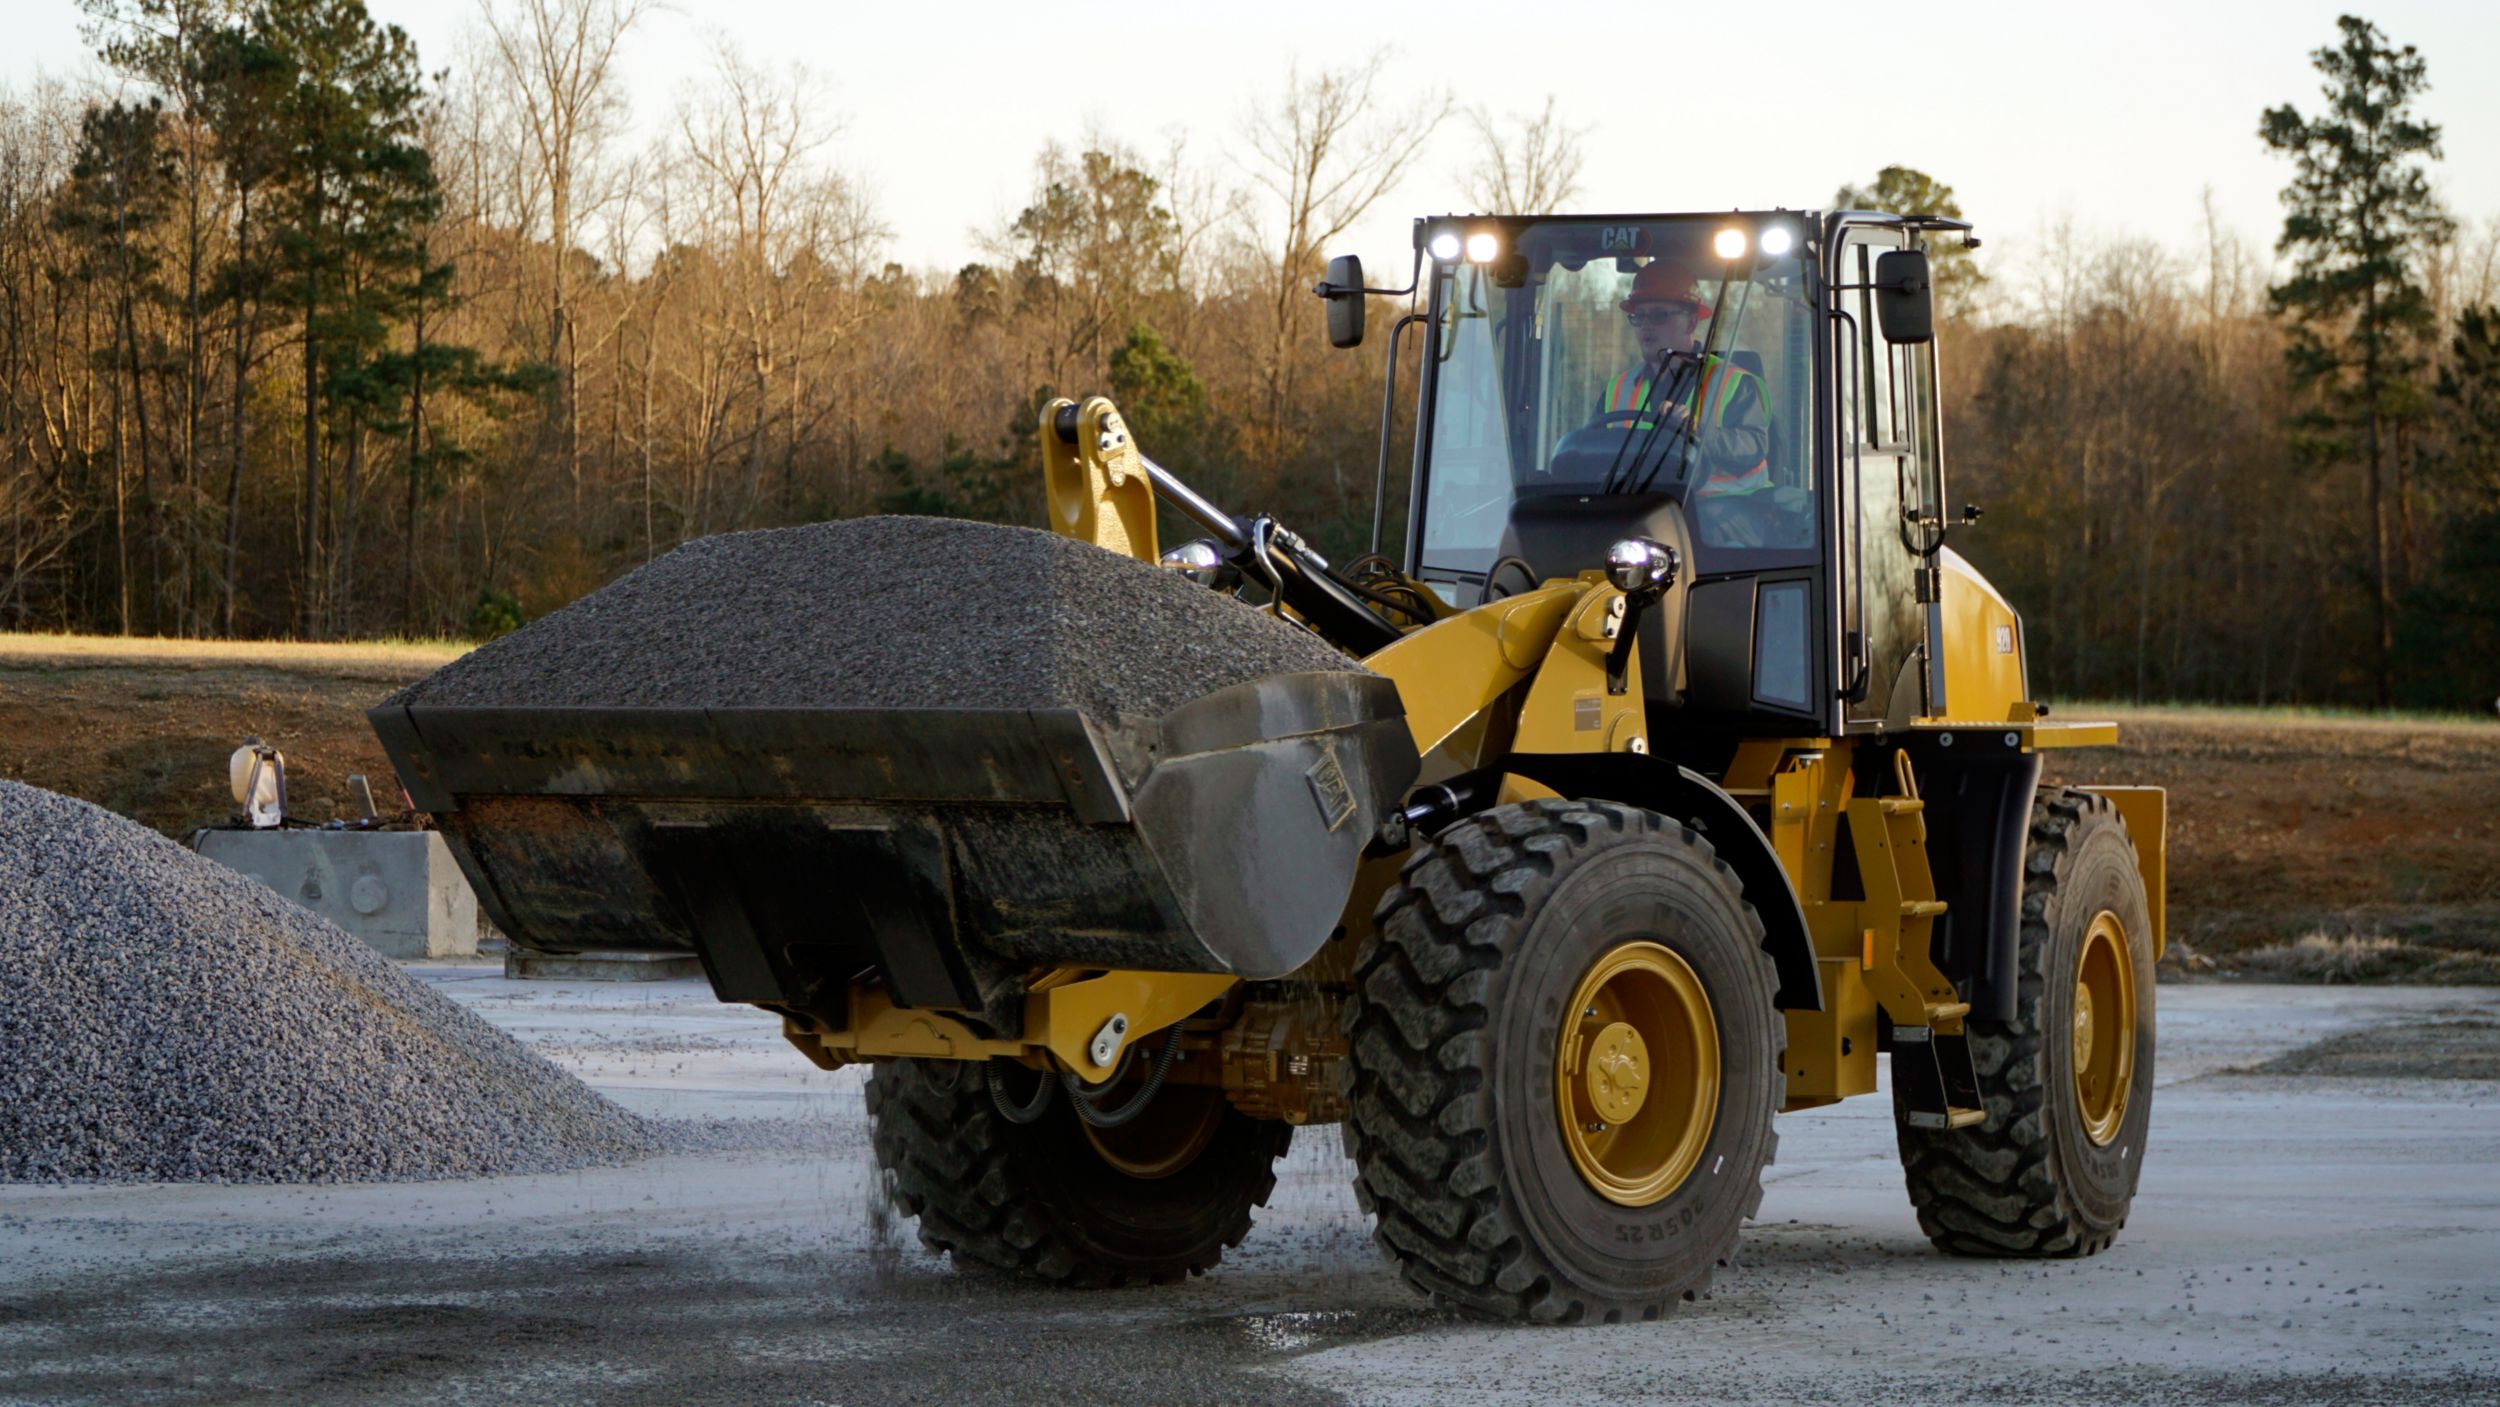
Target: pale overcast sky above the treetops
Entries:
(2116, 116)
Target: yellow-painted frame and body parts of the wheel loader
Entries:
(1529, 676)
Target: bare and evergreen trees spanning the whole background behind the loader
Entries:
(301, 339)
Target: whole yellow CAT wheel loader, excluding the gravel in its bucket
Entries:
(1686, 773)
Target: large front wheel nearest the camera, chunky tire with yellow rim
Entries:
(1464, 1051)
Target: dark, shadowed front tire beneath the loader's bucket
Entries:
(1046, 1201)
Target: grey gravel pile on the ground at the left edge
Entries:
(169, 1021)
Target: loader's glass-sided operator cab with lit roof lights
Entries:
(1716, 384)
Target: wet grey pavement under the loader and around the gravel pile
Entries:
(2306, 1233)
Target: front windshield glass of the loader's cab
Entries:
(1621, 359)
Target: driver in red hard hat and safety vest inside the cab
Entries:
(1674, 386)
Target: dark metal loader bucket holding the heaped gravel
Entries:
(949, 848)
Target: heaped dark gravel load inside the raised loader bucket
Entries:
(886, 614)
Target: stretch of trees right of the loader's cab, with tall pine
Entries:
(2226, 484)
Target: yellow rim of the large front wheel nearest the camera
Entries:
(1639, 1073)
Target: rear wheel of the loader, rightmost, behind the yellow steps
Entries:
(2054, 1171)
